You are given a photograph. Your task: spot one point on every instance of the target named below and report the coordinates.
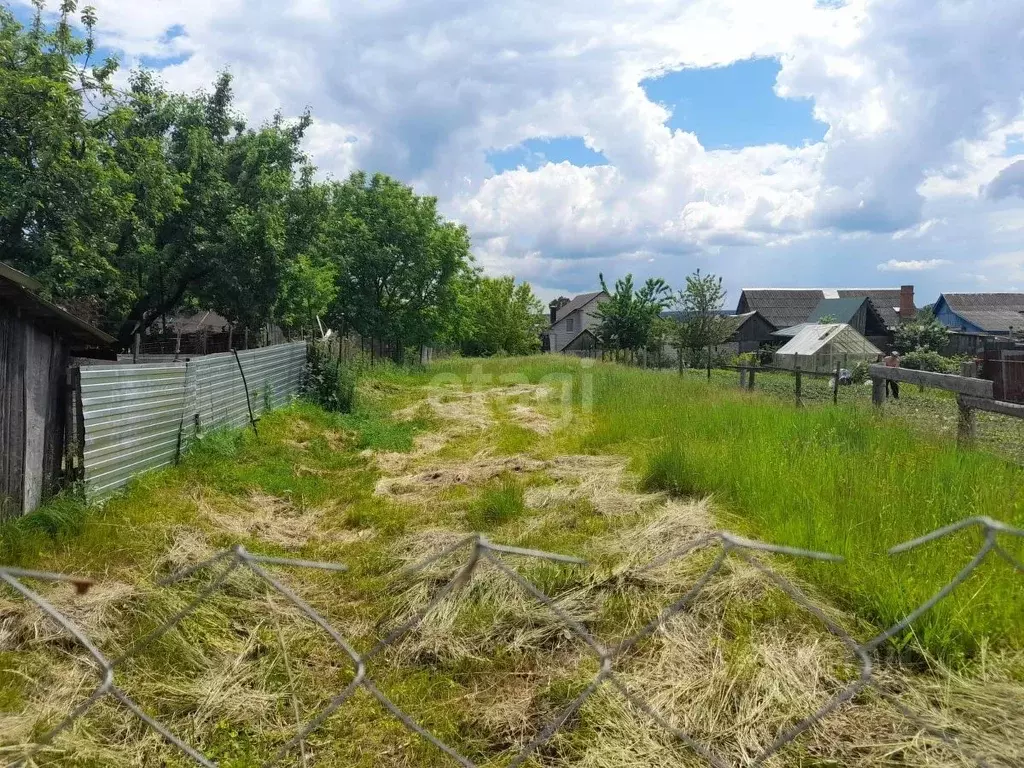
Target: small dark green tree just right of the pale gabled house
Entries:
(628, 317)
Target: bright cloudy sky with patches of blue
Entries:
(789, 144)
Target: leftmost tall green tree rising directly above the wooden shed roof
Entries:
(60, 204)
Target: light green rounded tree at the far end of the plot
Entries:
(503, 318)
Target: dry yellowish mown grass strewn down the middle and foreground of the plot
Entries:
(490, 666)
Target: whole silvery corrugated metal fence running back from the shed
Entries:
(137, 418)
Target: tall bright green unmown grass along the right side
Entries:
(844, 481)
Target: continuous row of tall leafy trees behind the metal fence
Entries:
(134, 204)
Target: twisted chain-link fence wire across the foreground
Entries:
(480, 549)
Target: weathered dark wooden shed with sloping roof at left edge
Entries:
(37, 339)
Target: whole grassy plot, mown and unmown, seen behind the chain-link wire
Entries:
(470, 446)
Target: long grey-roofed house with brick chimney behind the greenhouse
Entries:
(785, 308)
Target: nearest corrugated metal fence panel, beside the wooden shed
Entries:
(133, 416)
